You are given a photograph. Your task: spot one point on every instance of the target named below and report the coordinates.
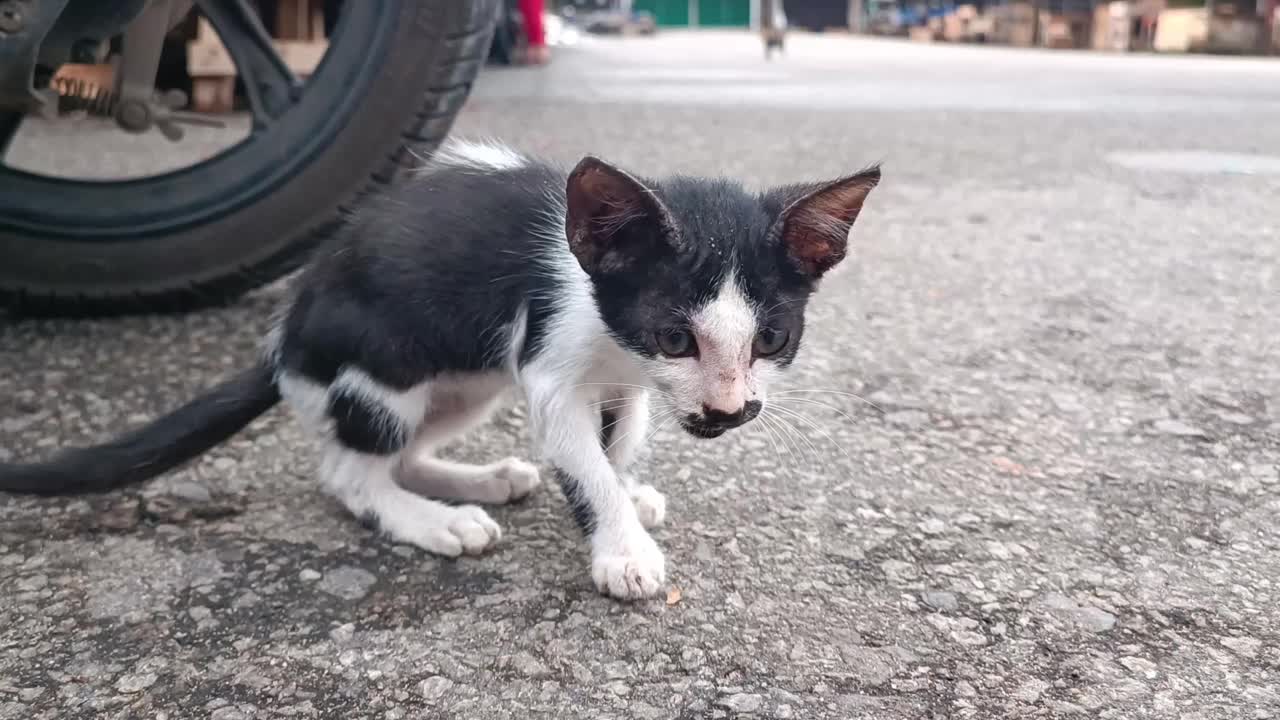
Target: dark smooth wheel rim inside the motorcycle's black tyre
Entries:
(284, 142)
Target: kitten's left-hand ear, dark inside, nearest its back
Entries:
(612, 218)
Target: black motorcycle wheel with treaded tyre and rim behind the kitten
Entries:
(386, 94)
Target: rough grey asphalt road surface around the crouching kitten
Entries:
(1064, 306)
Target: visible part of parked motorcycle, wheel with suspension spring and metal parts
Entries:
(386, 93)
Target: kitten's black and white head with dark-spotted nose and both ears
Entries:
(706, 284)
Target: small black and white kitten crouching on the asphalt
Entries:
(493, 272)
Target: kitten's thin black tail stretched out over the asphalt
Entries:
(153, 449)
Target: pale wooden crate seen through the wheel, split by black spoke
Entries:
(300, 39)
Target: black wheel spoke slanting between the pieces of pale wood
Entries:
(271, 86)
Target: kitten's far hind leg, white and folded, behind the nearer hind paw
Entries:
(454, 413)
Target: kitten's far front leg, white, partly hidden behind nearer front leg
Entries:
(624, 430)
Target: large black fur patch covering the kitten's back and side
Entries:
(429, 279)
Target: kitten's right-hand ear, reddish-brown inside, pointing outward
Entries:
(817, 218)
